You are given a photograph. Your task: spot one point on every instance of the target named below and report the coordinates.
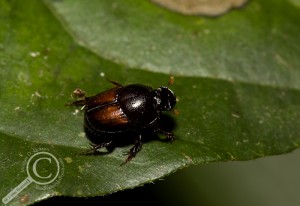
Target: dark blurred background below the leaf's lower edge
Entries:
(269, 181)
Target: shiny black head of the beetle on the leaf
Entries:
(165, 99)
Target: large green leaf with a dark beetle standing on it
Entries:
(236, 79)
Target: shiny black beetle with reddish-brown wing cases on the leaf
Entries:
(124, 110)
